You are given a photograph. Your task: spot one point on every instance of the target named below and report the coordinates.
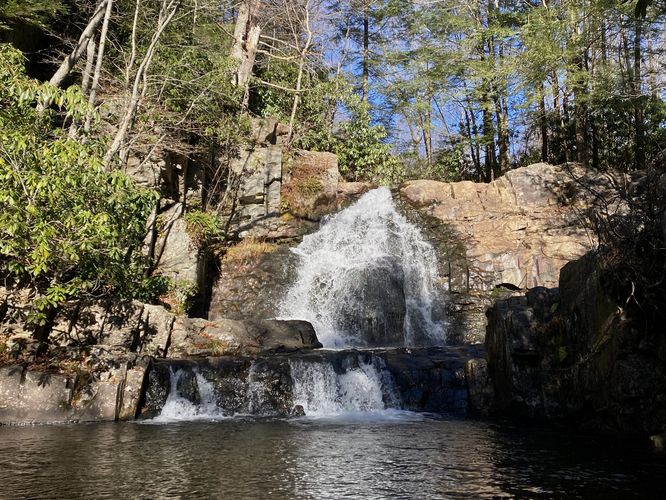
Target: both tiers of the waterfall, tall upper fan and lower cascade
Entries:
(367, 278)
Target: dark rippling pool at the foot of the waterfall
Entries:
(405, 458)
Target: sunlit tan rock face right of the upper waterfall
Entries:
(515, 233)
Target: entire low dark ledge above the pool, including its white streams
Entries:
(313, 384)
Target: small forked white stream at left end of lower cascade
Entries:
(177, 408)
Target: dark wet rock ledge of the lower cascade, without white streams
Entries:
(429, 379)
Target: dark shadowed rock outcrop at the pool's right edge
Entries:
(572, 353)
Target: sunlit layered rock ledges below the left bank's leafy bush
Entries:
(118, 340)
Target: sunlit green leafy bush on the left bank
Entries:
(67, 227)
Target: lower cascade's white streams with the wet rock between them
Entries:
(299, 387)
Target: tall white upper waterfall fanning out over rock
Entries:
(368, 278)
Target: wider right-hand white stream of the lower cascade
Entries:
(362, 387)
